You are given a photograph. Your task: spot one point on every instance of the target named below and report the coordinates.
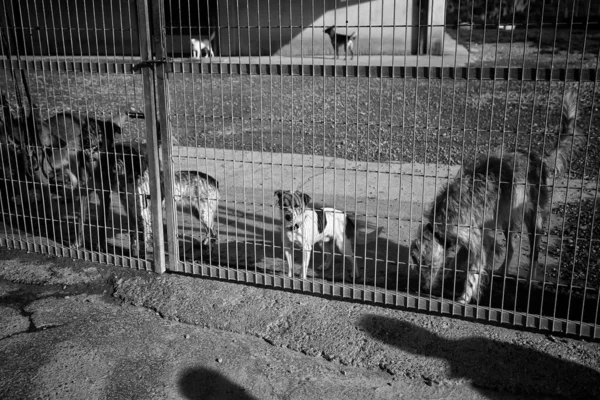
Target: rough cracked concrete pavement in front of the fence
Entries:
(129, 334)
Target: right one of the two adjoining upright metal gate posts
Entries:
(165, 137)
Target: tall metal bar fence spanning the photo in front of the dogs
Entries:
(109, 107)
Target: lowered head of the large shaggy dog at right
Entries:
(428, 254)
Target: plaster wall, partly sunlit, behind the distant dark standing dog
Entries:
(296, 28)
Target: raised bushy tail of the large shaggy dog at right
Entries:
(571, 139)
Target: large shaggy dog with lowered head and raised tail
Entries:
(504, 190)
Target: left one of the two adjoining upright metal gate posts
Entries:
(151, 135)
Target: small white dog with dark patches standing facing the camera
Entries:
(305, 227)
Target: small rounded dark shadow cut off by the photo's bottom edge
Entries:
(206, 384)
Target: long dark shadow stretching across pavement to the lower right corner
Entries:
(491, 364)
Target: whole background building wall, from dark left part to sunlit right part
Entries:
(259, 27)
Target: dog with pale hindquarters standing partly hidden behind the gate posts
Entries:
(130, 177)
